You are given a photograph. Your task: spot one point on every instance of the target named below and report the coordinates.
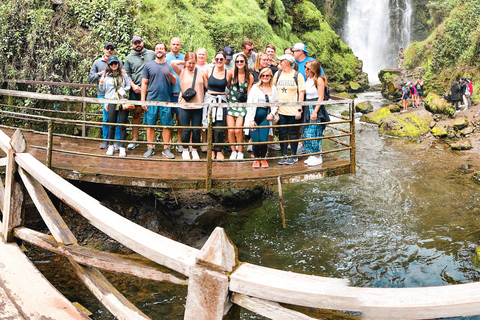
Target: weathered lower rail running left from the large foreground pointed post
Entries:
(132, 265)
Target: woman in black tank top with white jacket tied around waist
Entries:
(215, 81)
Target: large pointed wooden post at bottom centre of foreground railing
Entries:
(207, 297)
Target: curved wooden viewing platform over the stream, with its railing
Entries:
(59, 134)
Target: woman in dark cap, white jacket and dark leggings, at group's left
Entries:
(116, 85)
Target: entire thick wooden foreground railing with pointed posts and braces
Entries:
(214, 276)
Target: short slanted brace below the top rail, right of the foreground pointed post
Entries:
(268, 309)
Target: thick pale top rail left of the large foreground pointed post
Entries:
(162, 250)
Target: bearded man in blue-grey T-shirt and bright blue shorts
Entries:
(157, 85)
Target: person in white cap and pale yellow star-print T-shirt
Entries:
(291, 87)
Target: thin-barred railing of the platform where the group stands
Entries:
(344, 139)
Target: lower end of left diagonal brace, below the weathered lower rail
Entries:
(108, 295)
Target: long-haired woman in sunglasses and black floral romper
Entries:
(239, 80)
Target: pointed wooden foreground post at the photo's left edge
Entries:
(13, 196)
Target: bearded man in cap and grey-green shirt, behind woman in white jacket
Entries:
(134, 64)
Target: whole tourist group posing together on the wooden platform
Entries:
(245, 77)
